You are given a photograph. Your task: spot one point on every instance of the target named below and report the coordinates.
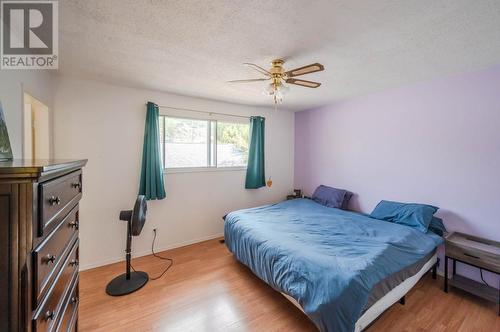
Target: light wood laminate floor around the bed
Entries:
(208, 290)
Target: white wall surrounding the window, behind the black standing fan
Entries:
(105, 124)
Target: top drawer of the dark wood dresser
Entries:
(55, 196)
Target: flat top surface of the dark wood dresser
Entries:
(37, 168)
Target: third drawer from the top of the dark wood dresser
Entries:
(48, 313)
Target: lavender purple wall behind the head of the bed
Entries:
(435, 142)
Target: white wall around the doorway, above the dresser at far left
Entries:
(13, 83)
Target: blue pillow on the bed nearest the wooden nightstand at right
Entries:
(418, 216)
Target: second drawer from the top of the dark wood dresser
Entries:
(50, 254)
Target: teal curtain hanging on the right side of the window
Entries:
(255, 169)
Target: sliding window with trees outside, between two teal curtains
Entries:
(194, 143)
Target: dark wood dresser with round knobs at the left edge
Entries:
(39, 222)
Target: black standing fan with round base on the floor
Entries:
(131, 281)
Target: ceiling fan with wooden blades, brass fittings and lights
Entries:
(279, 76)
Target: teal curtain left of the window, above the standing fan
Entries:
(152, 185)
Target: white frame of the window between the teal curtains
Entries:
(209, 118)
